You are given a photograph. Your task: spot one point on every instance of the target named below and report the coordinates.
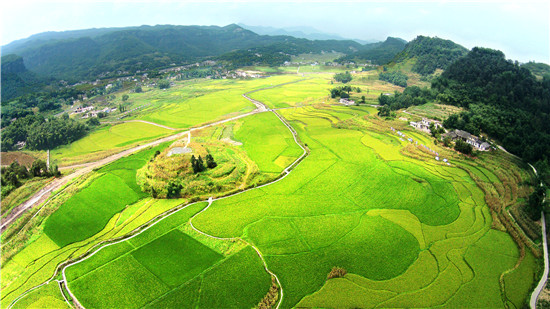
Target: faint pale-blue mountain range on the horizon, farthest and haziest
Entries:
(301, 32)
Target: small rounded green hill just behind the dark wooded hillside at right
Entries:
(430, 54)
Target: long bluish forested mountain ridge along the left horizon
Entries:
(145, 48)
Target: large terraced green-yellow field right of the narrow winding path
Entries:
(430, 219)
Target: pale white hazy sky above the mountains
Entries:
(521, 29)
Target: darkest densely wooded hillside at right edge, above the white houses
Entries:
(503, 100)
